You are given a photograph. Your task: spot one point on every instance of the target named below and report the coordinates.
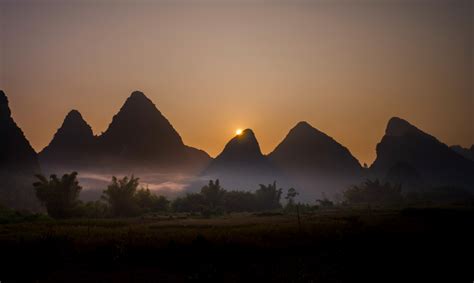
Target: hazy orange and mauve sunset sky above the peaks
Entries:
(212, 67)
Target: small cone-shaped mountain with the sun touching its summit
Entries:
(241, 165)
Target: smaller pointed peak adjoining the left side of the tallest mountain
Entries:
(72, 145)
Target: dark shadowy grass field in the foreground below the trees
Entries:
(340, 245)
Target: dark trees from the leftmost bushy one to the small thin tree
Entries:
(124, 198)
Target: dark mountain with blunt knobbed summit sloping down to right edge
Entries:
(432, 162)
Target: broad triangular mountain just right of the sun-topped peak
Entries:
(315, 162)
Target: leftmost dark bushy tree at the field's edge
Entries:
(60, 196)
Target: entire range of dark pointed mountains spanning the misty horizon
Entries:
(140, 138)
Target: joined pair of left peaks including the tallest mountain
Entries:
(139, 138)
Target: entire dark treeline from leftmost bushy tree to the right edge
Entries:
(125, 198)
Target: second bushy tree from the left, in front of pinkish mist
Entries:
(120, 195)
